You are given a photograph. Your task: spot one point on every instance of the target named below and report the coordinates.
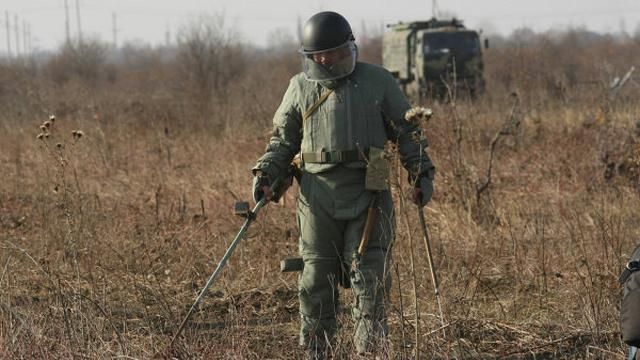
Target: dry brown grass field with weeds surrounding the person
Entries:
(107, 237)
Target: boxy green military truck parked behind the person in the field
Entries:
(430, 57)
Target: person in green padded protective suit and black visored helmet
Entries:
(335, 113)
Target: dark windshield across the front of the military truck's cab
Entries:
(455, 42)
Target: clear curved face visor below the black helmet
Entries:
(330, 64)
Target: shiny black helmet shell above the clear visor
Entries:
(325, 30)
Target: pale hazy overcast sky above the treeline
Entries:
(150, 20)
